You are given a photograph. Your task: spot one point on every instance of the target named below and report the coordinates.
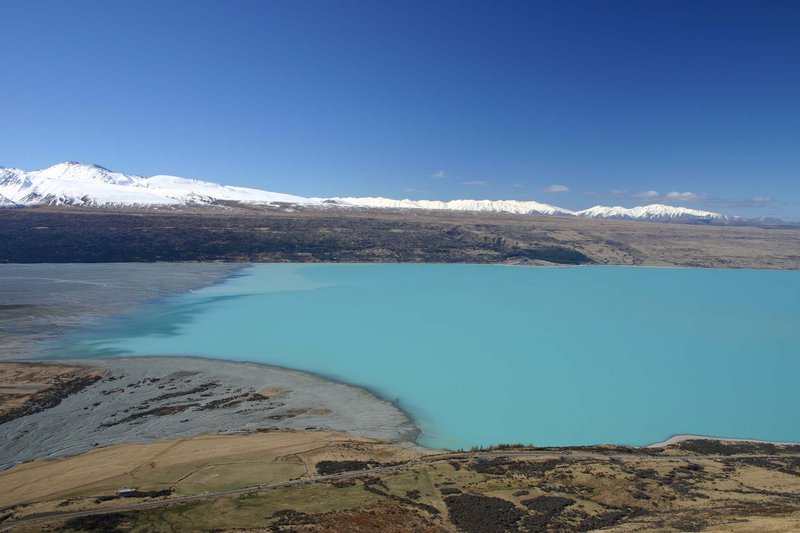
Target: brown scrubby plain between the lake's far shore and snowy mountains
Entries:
(311, 234)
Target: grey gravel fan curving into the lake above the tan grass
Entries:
(144, 399)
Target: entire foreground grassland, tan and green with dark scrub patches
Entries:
(345, 484)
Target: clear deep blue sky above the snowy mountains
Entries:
(617, 102)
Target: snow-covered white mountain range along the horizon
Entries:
(83, 184)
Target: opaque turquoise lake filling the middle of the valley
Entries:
(481, 354)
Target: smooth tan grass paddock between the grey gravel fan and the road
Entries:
(208, 463)
